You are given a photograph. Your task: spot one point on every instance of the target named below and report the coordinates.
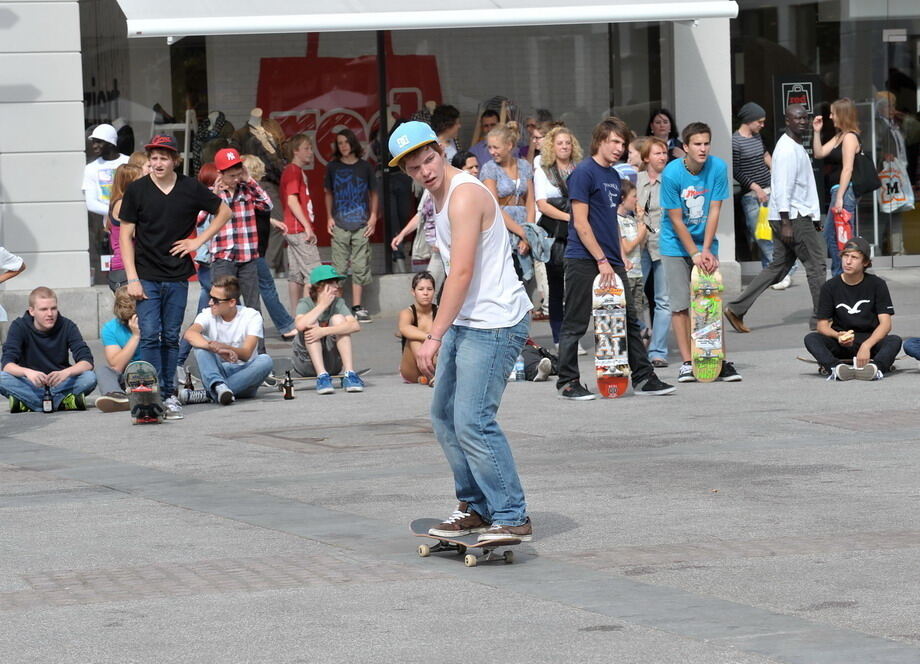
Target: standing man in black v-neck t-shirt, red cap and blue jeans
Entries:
(158, 213)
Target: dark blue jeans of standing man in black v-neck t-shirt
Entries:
(160, 317)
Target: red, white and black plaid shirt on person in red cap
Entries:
(238, 240)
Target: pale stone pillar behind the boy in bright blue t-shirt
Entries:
(702, 92)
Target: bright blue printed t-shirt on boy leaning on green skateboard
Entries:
(692, 195)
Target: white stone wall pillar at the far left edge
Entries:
(42, 214)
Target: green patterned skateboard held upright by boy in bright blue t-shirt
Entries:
(706, 348)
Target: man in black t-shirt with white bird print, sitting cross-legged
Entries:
(854, 320)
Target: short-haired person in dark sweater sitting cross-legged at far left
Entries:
(36, 359)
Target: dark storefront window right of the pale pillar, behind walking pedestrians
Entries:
(843, 48)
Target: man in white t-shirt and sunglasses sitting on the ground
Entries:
(224, 339)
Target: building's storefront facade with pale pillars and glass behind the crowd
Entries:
(67, 66)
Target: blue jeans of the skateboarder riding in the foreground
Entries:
(473, 368)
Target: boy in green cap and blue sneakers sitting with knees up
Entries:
(325, 324)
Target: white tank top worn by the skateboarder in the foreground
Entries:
(496, 297)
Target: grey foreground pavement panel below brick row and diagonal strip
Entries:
(390, 621)
